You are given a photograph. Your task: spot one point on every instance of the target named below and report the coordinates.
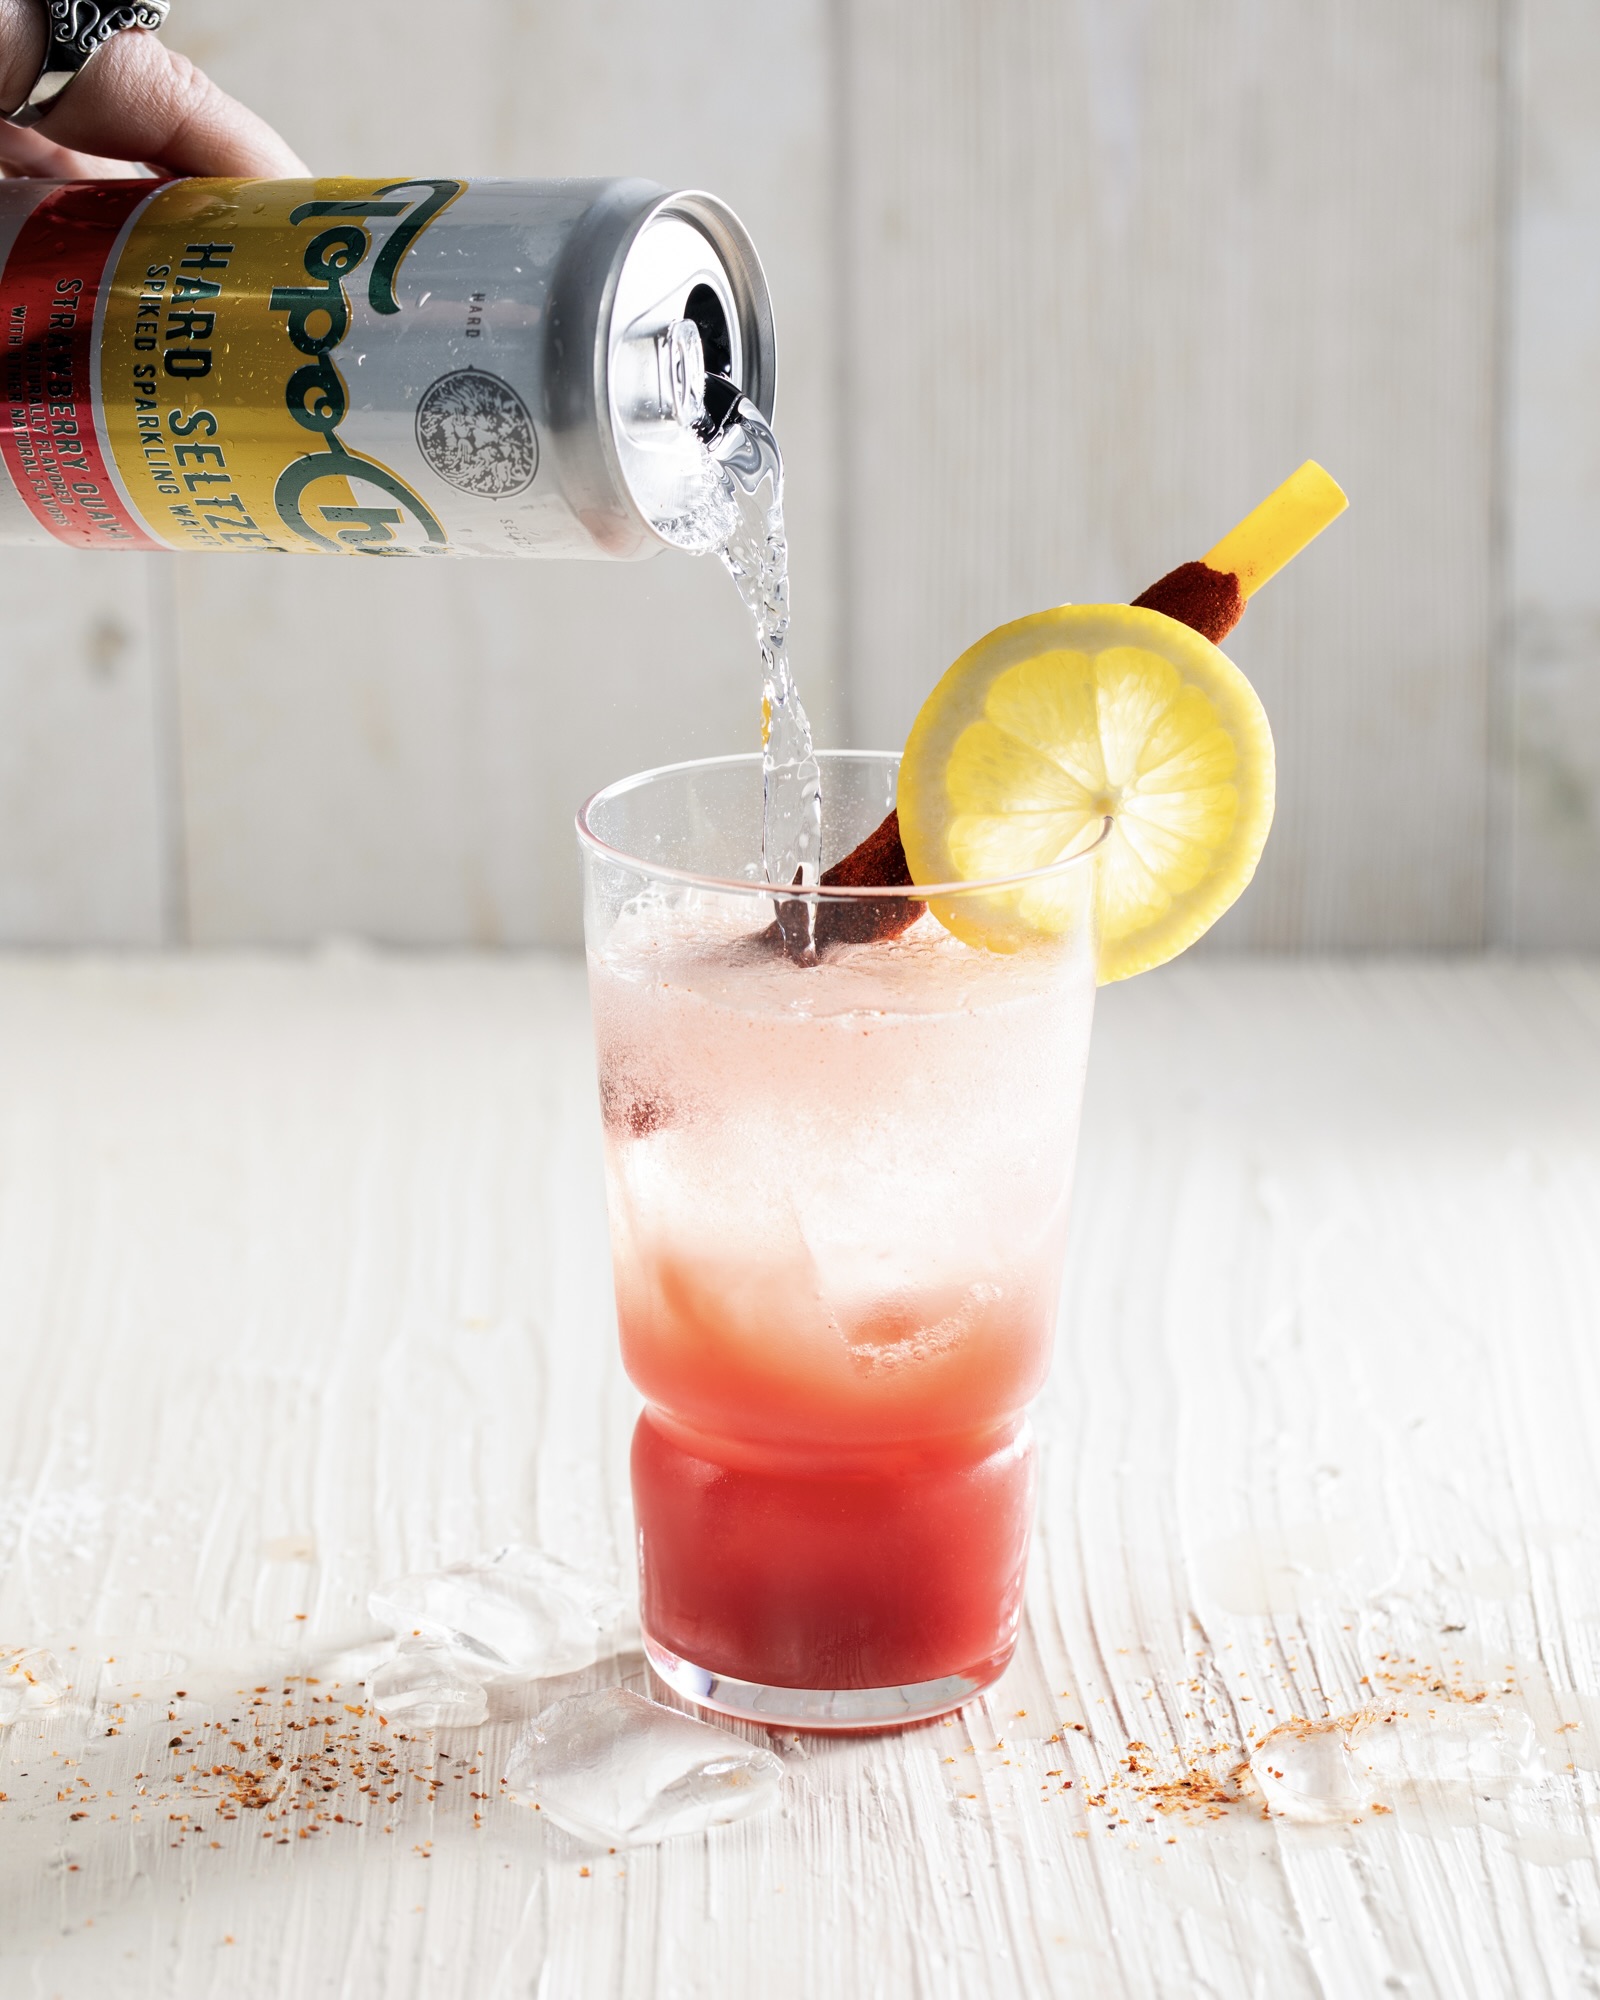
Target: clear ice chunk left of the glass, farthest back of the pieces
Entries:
(515, 1613)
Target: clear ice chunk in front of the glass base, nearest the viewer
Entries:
(625, 1771)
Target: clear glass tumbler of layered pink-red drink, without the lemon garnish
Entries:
(839, 1189)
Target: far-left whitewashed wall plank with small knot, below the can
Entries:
(87, 751)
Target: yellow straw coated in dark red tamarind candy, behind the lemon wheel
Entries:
(1209, 597)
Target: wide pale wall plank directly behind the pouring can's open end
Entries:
(401, 757)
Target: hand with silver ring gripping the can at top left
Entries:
(137, 105)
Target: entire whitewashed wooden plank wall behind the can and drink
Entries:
(1089, 277)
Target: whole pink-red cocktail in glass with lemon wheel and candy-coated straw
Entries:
(841, 1125)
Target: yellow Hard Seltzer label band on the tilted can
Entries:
(235, 323)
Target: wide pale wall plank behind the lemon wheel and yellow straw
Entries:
(1113, 273)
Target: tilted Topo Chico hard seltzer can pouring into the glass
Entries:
(369, 367)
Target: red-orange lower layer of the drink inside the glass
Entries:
(809, 1521)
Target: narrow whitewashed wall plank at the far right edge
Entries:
(1549, 875)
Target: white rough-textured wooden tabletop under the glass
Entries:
(303, 1281)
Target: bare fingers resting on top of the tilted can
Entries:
(141, 101)
